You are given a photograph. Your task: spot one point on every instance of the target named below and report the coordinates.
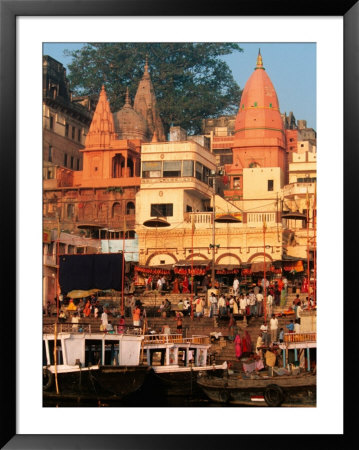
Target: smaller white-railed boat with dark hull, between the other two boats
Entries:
(177, 362)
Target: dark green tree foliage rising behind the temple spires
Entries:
(191, 81)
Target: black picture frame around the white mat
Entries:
(9, 10)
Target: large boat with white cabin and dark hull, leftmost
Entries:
(91, 365)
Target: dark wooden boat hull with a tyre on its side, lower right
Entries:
(270, 391)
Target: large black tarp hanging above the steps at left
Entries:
(95, 271)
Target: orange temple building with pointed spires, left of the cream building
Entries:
(98, 202)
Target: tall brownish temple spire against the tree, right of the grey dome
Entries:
(145, 103)
